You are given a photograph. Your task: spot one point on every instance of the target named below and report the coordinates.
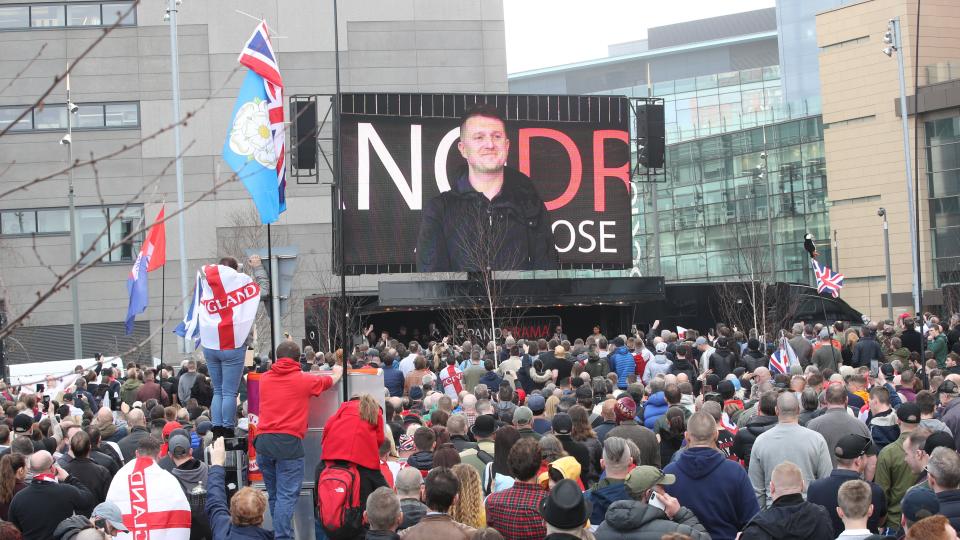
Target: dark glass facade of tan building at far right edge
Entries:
(943, 185)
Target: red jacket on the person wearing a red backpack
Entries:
(349, 438)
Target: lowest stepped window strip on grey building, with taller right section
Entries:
(91, 228)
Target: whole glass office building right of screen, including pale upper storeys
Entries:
(712, 203)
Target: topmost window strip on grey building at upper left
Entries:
(48, 15)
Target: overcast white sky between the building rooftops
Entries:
(543, 33)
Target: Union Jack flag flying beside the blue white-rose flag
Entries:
(258, 55)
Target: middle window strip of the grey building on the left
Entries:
(121, 115)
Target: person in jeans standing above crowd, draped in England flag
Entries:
(221, 316)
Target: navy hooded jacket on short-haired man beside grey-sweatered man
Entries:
(716, 489)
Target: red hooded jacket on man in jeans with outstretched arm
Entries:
(285, 392)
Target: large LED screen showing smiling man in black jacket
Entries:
(469, 182)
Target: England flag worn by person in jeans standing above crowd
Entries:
(223, 309)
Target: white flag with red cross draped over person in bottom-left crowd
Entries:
(151, 501)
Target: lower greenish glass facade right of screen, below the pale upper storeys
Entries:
(723, 202)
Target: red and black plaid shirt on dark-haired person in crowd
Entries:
(515, 514)
